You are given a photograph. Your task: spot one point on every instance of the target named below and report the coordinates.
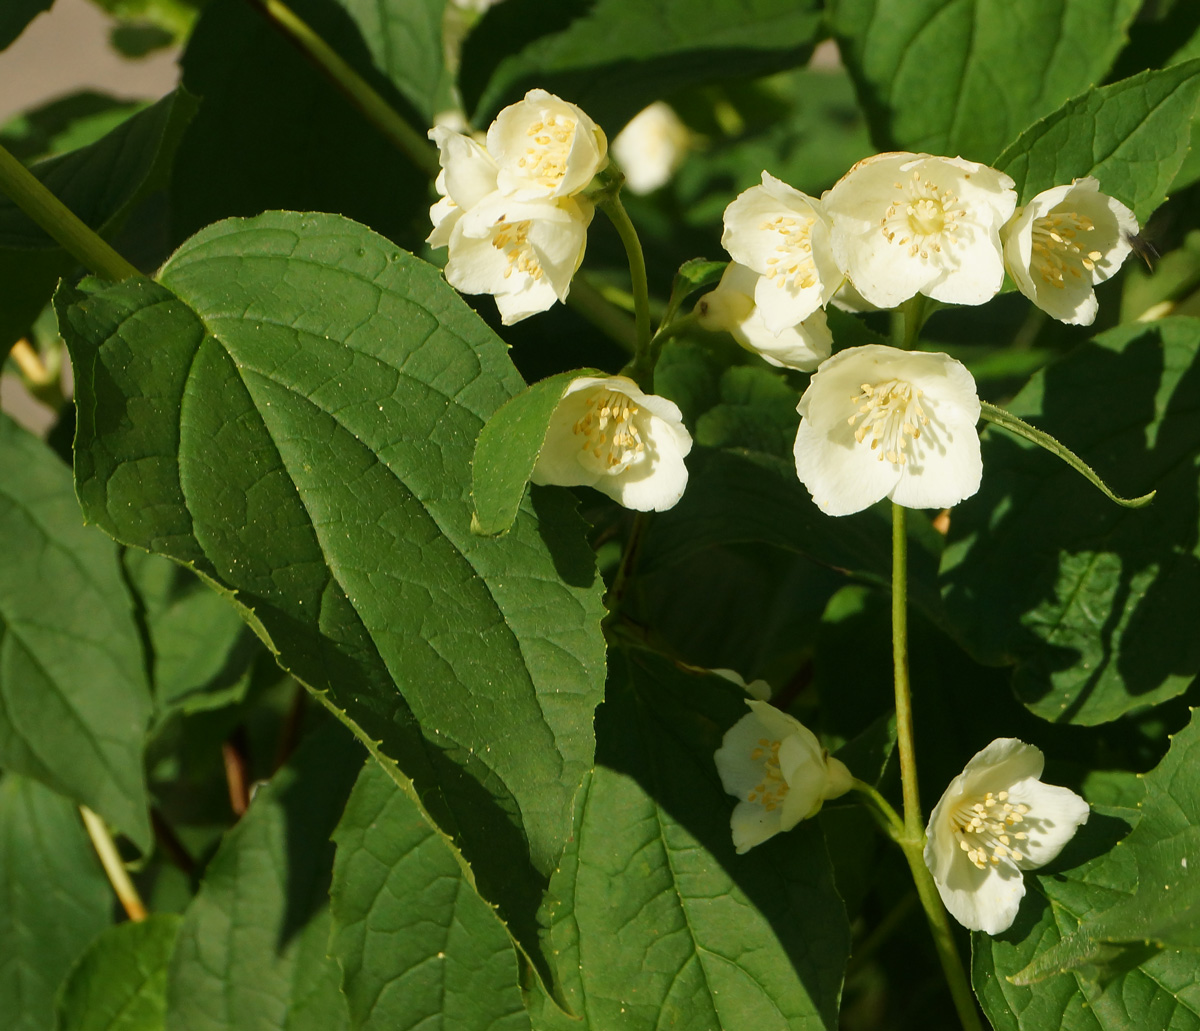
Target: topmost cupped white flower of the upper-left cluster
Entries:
(545, 147)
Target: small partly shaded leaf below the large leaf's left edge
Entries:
(202, 651)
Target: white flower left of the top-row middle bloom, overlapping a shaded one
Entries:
(784, 236)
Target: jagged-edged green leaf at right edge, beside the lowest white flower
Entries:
(1165, 910)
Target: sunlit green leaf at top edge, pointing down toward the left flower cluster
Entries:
(406, 44)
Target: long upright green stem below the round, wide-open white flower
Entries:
(911, 840)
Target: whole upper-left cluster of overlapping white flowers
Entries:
(512, 213)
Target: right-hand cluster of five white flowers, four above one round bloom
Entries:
(878, 422)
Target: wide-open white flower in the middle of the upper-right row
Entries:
(914, 224)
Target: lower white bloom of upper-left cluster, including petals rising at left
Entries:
(524, 253)
